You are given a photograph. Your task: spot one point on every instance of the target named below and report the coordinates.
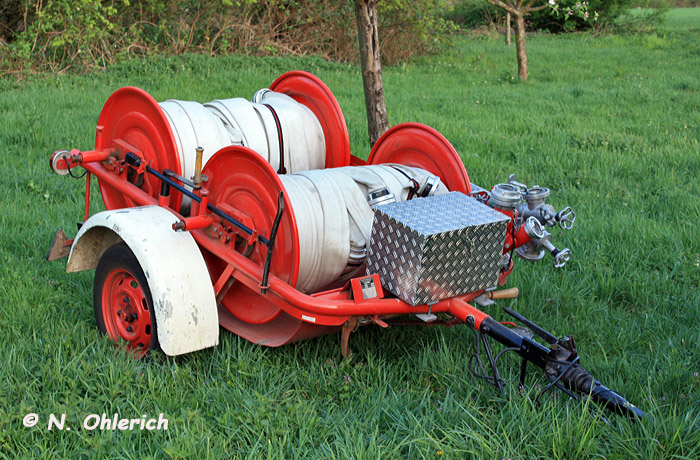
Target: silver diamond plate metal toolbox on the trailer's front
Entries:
(433, 248)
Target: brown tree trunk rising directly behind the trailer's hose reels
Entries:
(377, 117)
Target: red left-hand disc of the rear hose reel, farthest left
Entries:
(133, 116)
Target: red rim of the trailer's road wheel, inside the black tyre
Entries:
(126, 312)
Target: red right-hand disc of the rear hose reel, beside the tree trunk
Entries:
(309, 90)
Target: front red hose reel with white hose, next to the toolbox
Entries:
(307, 251)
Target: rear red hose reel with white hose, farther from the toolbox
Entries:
(298, 108)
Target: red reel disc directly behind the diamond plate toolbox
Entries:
(418, 145)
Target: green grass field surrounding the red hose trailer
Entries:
(611, 124)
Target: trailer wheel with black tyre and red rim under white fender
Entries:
(122, 300)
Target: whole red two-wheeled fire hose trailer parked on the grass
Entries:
(278, 256)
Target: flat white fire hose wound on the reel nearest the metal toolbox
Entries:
(334, 217)
